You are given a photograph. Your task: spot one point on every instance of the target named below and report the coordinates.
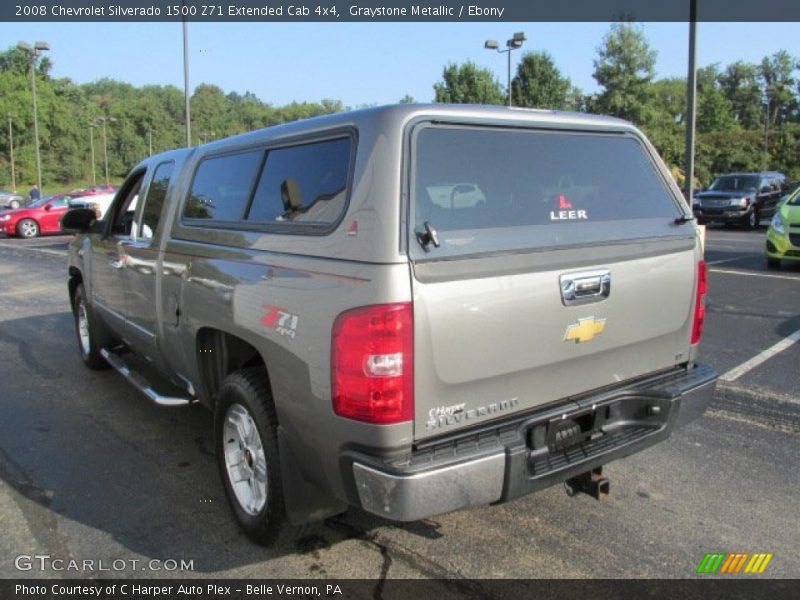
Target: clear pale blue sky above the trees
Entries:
(362, 63)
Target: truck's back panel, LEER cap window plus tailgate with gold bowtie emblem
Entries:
(559, 269)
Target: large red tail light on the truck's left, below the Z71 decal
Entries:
(372, 364)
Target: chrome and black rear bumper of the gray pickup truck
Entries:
(523, 455)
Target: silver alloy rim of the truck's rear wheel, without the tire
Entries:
(245, 461)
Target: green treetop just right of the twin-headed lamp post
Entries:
(539, 83)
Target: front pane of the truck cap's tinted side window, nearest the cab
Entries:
(221, 187)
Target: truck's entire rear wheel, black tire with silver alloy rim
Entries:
(247, 455)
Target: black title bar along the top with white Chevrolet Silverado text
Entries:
(331, 11)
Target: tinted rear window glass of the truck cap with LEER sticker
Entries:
(504, 189)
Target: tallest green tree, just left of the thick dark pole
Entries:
(625, 68)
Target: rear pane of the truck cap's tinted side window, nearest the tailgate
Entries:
(306, 184)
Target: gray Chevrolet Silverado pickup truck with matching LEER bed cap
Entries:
(408, 309)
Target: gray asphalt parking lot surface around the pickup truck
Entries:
(90, 470)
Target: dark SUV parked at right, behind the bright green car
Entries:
(743, 198)
